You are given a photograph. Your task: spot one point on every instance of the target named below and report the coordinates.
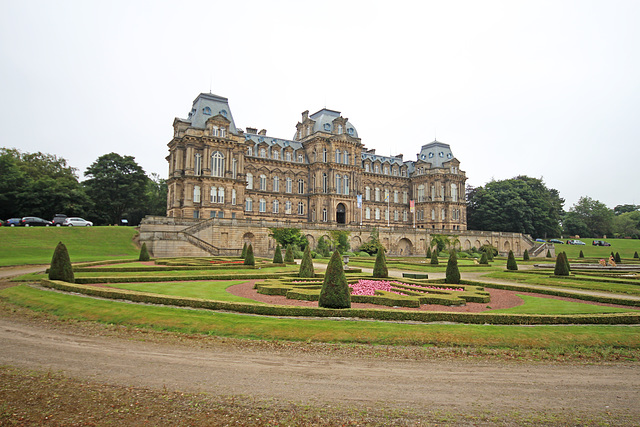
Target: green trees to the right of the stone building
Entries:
(525, 205)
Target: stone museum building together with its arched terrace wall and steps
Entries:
(228, 185)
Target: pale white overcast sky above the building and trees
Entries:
(549, 89)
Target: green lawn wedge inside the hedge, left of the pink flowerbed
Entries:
(214, 290)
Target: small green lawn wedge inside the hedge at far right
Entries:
(538, 305)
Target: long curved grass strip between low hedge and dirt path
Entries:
(321, 330)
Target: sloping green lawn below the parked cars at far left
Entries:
(35, 245)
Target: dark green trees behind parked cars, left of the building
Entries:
(115, 188)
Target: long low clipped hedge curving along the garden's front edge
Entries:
(374, 314)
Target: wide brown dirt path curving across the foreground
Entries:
(451, 385)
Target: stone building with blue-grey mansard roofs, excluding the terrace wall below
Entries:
(323, 175)
